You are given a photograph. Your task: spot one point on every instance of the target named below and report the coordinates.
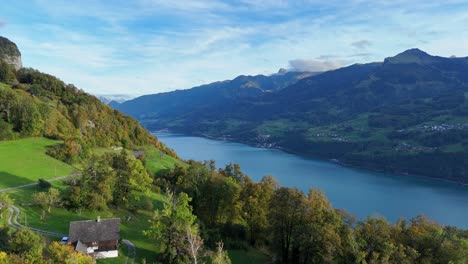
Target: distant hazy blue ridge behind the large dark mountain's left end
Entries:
(204, 96)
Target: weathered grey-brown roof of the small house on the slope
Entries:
(92, 230)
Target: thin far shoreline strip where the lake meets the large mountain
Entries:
(289, 151)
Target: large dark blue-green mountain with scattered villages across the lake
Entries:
(407, 114)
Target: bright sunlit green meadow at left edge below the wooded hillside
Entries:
(24, 161)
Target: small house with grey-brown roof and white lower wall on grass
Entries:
(98, 238)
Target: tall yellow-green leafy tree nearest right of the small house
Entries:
(169, 228)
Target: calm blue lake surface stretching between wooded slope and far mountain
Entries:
(360, 192)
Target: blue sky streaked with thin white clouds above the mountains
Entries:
(136, 47)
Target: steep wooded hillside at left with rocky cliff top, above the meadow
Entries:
(33, 103)
